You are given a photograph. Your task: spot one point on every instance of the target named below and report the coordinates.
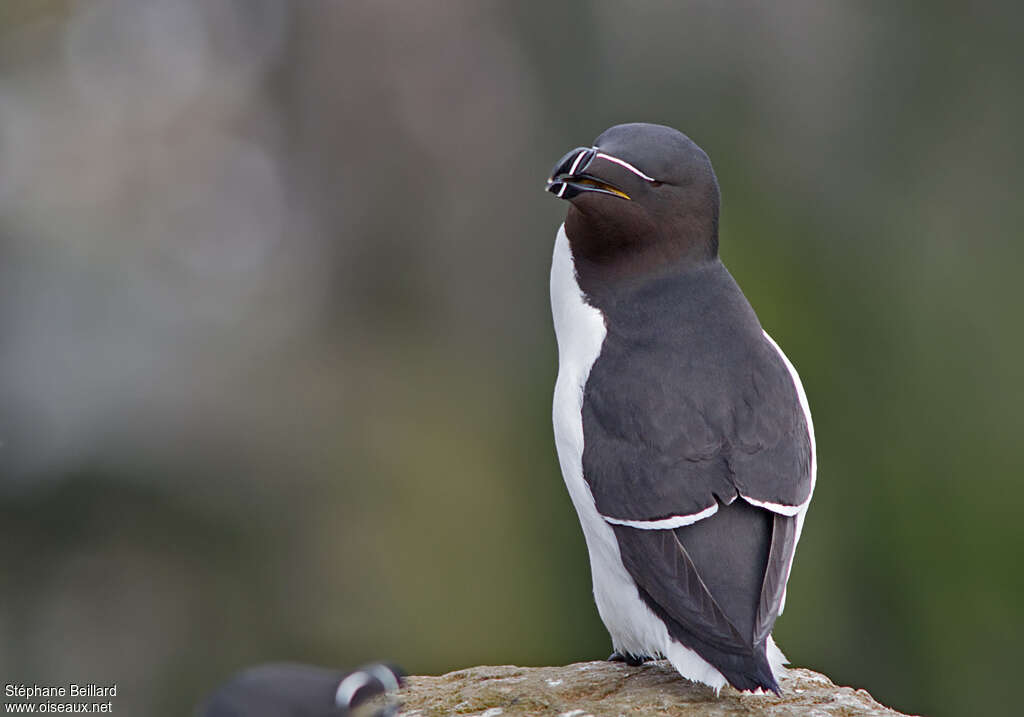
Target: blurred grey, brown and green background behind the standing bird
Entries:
(276, 354)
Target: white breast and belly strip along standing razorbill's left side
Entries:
(581, 330)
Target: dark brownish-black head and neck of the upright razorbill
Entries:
(644, 197)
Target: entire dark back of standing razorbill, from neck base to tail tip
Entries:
(688, 408)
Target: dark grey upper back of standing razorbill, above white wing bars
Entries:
(690, 402)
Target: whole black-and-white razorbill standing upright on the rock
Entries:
(684, 432)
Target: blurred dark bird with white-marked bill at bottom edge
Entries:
(291, 690)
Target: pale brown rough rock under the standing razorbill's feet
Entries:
(602, 689)
